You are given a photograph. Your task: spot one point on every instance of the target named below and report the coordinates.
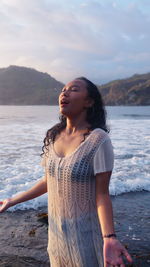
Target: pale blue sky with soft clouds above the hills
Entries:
(102, 40)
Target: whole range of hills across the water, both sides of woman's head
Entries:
(26, 86)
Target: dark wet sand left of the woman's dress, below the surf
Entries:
(23, 239)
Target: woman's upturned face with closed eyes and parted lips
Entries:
(74, 98)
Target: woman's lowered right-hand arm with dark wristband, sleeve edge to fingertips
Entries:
(112, 249)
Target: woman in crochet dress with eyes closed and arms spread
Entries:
(78, 159)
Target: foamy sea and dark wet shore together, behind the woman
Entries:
(23, 235)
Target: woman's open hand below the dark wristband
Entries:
(113, 251)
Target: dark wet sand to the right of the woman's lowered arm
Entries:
(132, 224)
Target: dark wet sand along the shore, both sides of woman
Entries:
(23, 234)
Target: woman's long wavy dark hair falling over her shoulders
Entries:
(96, 115)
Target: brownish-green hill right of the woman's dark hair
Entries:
(131, 91)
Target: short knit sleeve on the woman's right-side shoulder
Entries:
(104, 157)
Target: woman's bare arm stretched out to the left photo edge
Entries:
(37, 190)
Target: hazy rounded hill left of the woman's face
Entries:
(26, 86)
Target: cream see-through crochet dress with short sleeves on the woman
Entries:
(74, 230)
